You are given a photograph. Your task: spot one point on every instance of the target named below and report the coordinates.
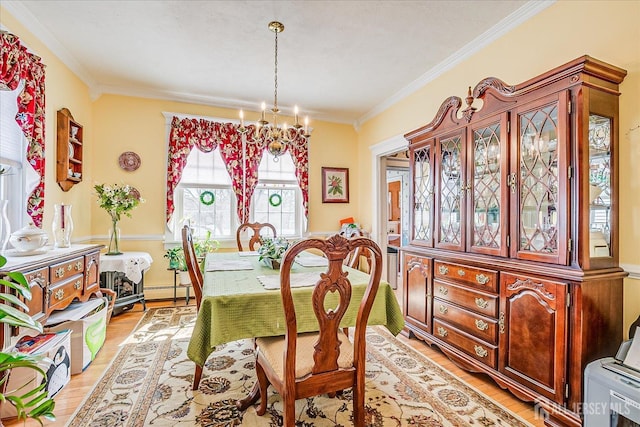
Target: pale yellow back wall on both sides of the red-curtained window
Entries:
(136, 124)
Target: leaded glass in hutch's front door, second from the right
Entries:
(486, 187)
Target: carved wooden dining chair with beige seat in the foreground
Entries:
(310, 364)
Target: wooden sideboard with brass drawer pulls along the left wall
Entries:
(57, 278)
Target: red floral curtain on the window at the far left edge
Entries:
(17, 65)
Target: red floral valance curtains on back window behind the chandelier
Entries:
(242, 158)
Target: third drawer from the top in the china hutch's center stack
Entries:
(475, 324)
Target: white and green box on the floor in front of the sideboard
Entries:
(88, 324)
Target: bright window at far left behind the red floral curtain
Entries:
(19, 178)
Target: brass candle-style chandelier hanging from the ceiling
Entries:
(277, 135)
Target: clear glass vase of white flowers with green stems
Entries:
(117, 200)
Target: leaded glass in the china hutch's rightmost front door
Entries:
(539, 180)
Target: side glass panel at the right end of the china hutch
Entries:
(599, 186)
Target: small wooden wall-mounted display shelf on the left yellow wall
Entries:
(69, 144)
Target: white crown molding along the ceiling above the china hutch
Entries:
(505, 25)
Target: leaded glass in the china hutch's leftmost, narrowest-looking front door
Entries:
(423, 195)
